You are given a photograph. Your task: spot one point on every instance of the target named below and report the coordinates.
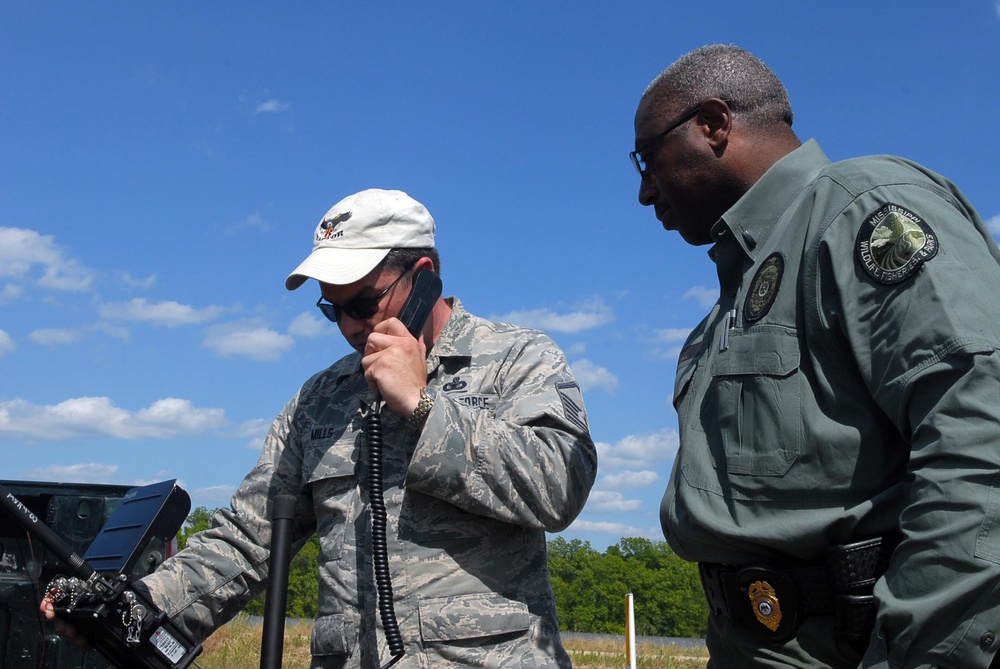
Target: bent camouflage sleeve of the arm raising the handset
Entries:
(530, 461)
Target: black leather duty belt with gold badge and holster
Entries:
(774, 599)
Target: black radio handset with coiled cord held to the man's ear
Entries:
(425, 291)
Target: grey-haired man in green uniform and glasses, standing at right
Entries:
(838, 479)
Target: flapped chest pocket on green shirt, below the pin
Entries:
(756, 397)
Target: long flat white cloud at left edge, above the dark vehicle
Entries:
(99, 416)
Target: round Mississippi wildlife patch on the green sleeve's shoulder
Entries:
(892, 244)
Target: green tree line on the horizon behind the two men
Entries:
(589, 586)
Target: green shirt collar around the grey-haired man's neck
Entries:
(751, 220)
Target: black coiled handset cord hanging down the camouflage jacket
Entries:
(380, 550)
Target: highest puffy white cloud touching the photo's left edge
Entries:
(21, 250)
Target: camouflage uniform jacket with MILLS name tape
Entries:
(504, 456)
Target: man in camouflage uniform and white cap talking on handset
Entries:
(485, 448)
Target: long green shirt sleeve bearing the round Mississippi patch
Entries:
(924, 338)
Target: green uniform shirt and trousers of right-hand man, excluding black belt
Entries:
(846, 386)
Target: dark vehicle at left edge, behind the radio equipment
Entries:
(75, 512)
